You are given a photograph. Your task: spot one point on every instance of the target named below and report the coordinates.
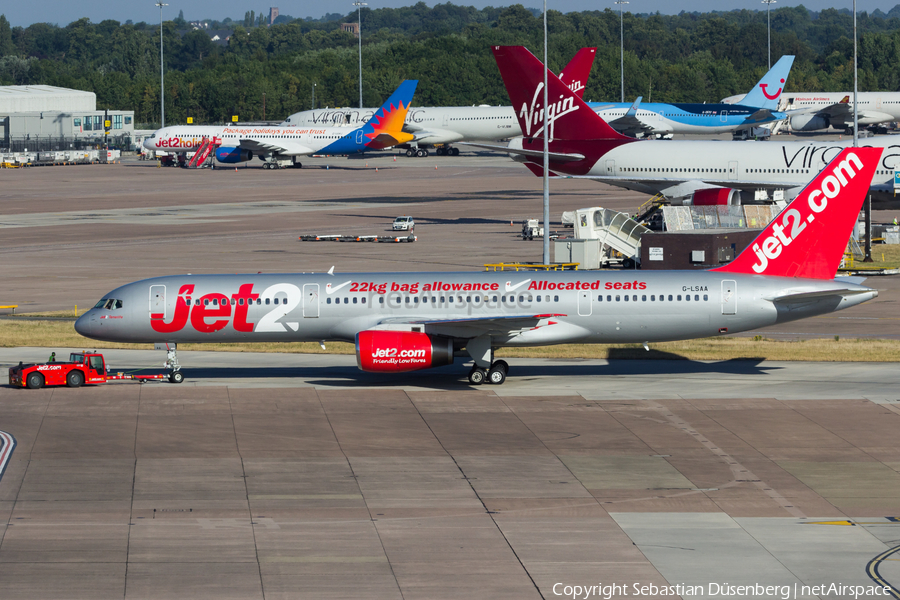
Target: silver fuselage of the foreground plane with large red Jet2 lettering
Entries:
(513, 308)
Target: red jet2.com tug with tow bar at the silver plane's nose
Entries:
(81, 368)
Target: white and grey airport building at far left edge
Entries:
(43, 117)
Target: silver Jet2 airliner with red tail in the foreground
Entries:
(411, 321)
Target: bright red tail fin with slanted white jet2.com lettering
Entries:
(808, 238)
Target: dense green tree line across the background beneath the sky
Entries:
(269, 72)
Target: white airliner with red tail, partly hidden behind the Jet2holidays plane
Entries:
(446, 125)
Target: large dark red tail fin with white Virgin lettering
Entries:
(569, 118)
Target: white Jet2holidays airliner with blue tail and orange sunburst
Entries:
(241, 143)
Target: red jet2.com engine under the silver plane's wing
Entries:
(381, 351)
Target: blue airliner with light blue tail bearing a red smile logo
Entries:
(758, 108)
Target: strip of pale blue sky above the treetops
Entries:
(63, 12)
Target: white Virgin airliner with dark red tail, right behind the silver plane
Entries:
(683, 171)
